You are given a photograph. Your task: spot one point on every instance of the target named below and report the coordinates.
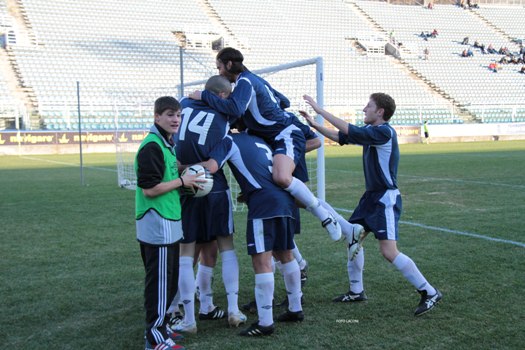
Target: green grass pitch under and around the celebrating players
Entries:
(72, 277)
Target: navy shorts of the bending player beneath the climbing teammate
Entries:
(273, 234)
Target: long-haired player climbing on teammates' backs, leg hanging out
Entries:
(255, 101)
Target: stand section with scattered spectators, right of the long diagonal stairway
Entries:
(467, 80)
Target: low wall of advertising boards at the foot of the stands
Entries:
(68, 142)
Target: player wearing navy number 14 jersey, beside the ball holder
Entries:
(206, 218)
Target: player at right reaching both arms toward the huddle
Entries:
(380, 206)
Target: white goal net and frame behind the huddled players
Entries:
(293, 79)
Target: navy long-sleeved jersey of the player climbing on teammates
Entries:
(254, 100)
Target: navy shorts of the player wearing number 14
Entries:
(206, 218)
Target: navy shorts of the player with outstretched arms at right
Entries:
(379, 212)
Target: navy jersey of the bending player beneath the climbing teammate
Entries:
(250, 159)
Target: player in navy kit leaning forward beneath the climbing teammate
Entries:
(270, 228)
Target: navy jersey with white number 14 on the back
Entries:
(201, 129)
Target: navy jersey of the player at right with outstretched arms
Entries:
(380, 154)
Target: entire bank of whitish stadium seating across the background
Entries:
(125, 54)
